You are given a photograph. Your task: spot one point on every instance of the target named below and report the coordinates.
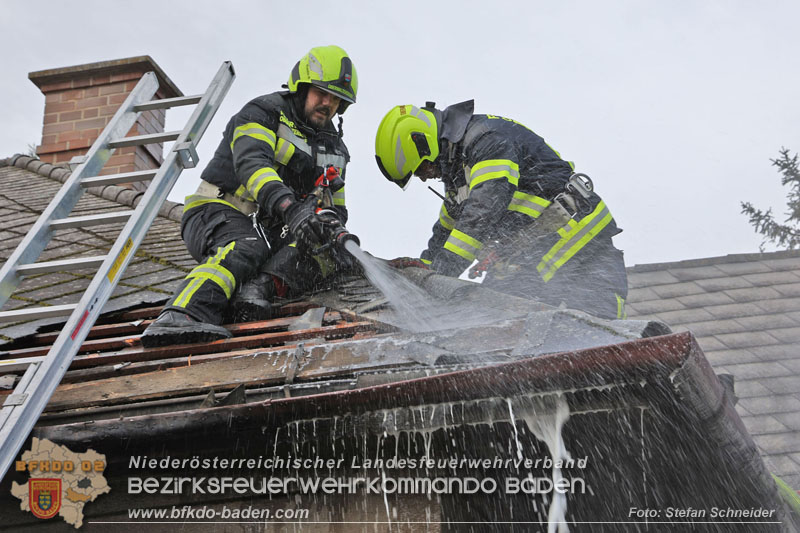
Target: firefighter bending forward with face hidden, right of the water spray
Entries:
(536, 228)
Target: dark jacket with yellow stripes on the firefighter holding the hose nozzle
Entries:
(267, 152)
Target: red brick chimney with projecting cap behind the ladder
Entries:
(80, 101)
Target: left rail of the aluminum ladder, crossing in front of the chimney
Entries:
(40, 234)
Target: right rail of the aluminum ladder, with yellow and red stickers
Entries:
(48, 374)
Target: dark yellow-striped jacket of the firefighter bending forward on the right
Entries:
(499, 177)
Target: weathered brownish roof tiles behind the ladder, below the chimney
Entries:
(26, 187)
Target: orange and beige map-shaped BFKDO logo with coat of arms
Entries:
(61, 481)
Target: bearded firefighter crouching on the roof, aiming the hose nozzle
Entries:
(253, 224)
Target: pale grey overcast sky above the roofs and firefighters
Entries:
(674, 108)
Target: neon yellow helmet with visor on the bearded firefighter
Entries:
(330, 69)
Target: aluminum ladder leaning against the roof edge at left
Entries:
(42, 375)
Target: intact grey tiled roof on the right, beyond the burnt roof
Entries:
(745, 312)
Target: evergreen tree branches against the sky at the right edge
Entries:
(786, 235)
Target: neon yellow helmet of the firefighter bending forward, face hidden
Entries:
(406, 137)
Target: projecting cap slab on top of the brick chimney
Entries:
(131, 64)
